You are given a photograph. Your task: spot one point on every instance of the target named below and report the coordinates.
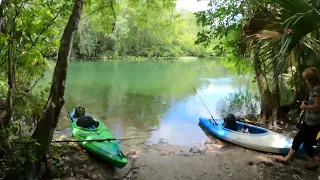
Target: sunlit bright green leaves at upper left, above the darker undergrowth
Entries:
(38, 31)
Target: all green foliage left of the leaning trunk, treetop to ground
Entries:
(35, 26)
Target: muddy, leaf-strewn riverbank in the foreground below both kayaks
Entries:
(213, 160)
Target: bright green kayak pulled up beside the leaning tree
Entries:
(108, 150)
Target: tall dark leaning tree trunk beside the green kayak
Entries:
(48, 122)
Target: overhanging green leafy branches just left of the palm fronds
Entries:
(221, 30)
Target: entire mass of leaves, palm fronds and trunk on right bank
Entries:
(269, 37)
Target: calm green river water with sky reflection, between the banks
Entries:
(150, 98)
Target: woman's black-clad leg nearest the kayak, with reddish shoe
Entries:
(297, 141)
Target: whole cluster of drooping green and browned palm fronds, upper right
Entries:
(280, 30)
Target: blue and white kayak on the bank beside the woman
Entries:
(258, 138)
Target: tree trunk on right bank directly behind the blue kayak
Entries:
(268, 102)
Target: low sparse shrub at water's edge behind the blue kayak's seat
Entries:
(240, 104)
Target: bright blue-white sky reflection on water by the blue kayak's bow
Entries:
(180, 126)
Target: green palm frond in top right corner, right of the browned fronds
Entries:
(297, 18)
